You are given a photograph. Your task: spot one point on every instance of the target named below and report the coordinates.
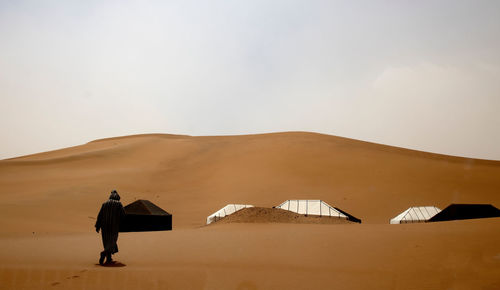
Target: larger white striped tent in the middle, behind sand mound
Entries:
(316, 207)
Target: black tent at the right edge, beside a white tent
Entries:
(466, 211)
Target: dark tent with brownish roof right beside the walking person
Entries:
(143, 215)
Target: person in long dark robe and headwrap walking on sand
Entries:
(108, 221)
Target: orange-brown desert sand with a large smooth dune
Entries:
(49, 201)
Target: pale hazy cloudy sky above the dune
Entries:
(417, 74)
